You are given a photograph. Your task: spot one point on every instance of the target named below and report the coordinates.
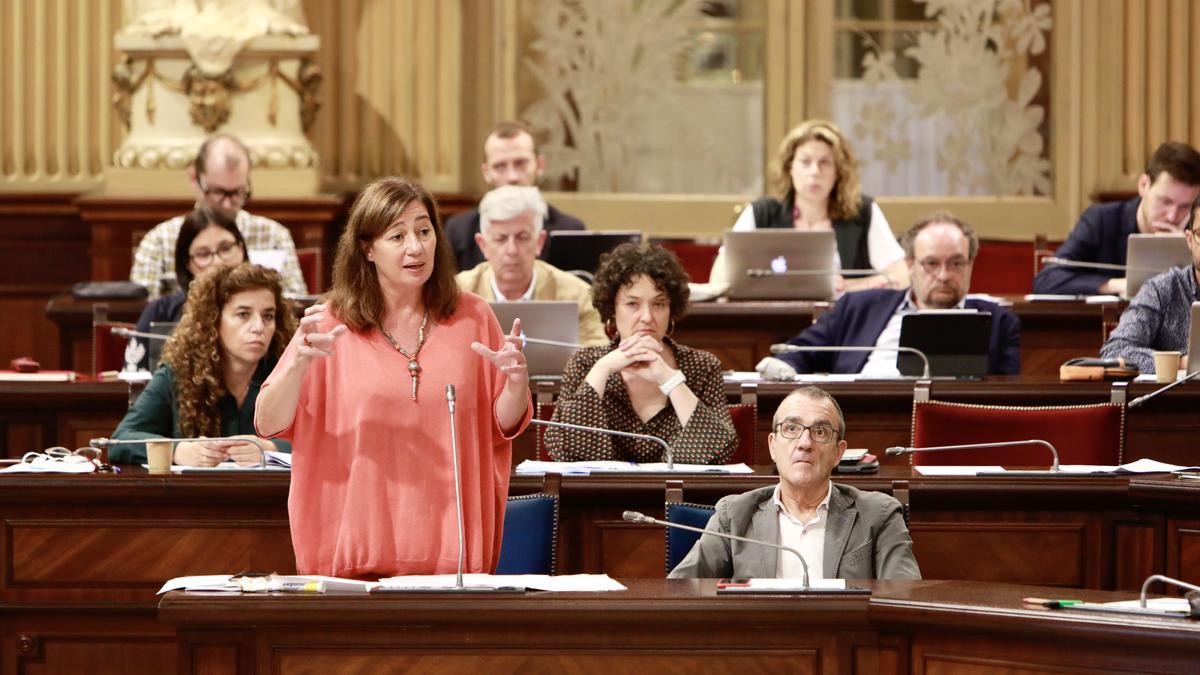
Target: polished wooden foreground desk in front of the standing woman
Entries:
(683, 626)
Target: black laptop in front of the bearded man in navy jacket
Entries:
(956, 342)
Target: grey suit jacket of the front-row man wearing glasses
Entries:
(866, 539)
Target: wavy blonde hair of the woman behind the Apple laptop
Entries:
(847, 189)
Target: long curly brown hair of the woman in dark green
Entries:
(195, 351)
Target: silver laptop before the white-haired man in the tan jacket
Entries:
(544, 320)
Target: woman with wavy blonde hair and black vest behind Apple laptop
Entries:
(817, 187)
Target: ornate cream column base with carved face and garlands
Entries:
(242, 69)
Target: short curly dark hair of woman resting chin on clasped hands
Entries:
(623, 265)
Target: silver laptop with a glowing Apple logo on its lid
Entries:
(781, 265)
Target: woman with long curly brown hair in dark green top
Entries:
(235, 330)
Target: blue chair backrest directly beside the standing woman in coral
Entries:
(531, 533)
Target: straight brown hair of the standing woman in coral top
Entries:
(357, 297)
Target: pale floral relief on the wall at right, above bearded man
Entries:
(975, 77)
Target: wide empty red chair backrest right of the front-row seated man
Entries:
(1083, 434)
